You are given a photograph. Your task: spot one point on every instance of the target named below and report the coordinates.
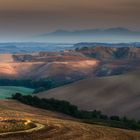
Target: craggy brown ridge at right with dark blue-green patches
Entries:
(106, 53)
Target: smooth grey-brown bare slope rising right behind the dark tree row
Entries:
(114, 95)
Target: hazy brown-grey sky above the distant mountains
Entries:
(20, 19)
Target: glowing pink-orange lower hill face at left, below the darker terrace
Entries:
(37, 70)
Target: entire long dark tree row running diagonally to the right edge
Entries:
(72, 110)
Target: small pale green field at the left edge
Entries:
(7, 91)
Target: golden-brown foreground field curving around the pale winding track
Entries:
(59, 126)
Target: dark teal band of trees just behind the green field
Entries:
(39, 85)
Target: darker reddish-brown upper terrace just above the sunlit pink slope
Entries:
(50, 57)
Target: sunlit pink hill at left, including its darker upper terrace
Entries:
(65, 66)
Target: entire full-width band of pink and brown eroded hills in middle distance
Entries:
(70, 65)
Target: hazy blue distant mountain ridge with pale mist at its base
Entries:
(114, 35)
